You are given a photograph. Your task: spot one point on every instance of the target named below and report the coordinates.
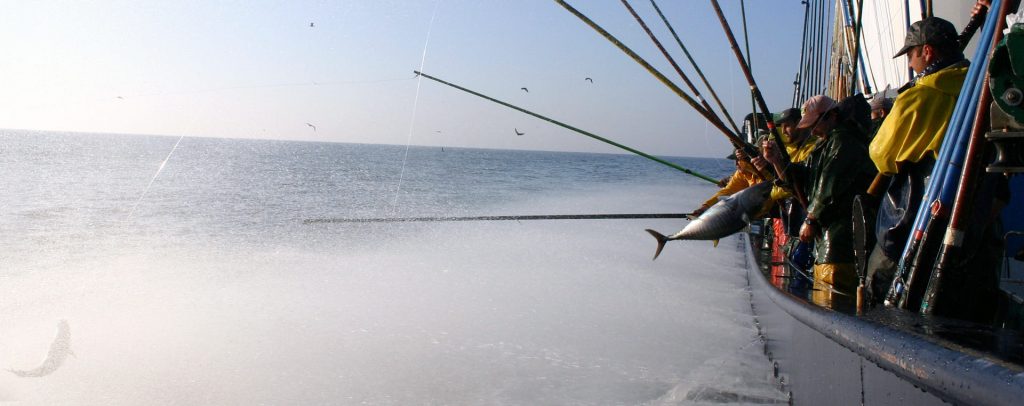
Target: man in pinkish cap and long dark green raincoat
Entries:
(837, 171)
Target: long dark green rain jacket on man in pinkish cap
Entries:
(837, 171)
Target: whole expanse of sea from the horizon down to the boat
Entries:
(202, 286)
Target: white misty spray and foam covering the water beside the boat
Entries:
(459, 313)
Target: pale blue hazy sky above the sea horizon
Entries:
(258, 69)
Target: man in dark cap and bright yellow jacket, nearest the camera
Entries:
(908, 142)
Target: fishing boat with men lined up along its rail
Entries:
(828, 349)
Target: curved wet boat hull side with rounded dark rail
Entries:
(828, 357)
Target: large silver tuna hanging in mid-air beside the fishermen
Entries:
(726, 218)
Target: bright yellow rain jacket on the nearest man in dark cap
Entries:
(919, 120)
